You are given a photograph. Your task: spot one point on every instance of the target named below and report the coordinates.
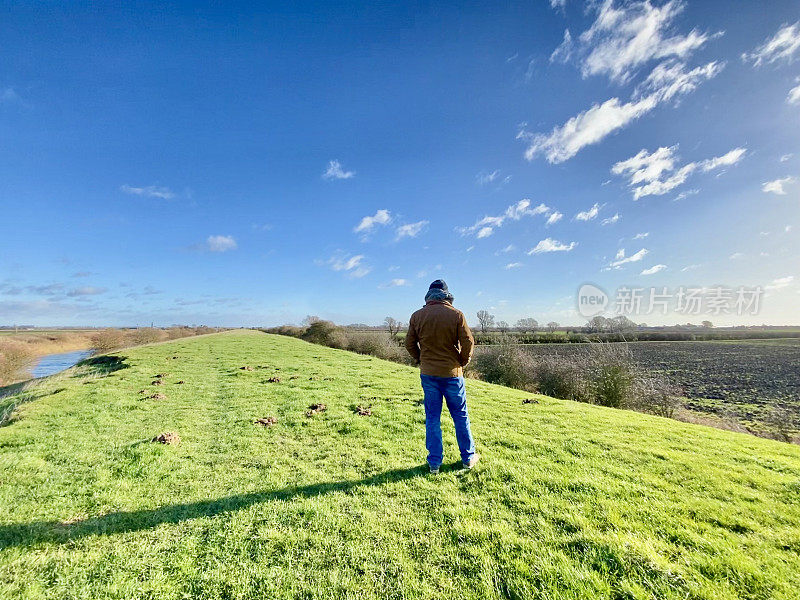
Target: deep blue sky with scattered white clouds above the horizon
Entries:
(209, 163)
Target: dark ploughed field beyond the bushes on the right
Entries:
(748, 381)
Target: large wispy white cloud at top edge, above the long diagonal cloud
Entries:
(626, 37)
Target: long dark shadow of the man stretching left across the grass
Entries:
(28, 534)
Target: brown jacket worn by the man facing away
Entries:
(439, 339)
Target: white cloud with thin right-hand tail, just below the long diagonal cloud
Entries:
(655, 174)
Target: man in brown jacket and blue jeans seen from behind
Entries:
(439, 340)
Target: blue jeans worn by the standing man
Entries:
(452, 388)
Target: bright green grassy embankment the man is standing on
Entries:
(570, 501)
